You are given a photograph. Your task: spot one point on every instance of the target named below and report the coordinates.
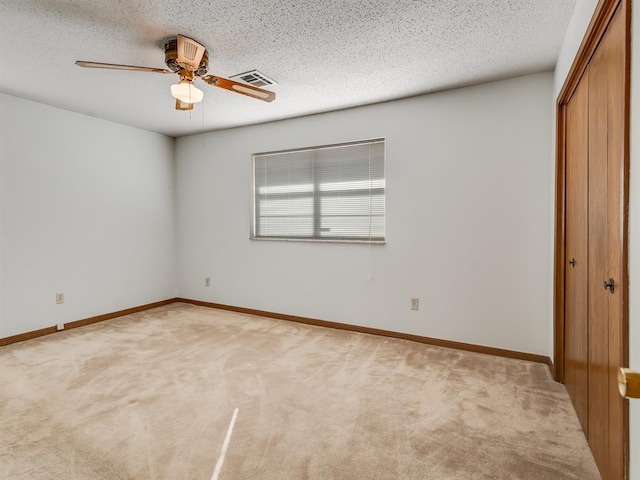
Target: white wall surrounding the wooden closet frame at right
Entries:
(577, 28)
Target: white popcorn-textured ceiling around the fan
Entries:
(325, 54)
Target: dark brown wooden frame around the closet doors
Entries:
(603, 14)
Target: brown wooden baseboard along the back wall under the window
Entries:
(469, 347)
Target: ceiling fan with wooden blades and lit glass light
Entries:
(190, 60)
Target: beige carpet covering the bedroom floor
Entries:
(151, 396)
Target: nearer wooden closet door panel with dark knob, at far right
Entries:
(607, 352)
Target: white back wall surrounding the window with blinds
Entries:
(468, 219)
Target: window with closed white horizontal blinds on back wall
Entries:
(333, 193)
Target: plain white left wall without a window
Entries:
(86, 208)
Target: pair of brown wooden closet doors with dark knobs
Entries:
(595, 339)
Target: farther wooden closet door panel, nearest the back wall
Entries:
(576, 358)
